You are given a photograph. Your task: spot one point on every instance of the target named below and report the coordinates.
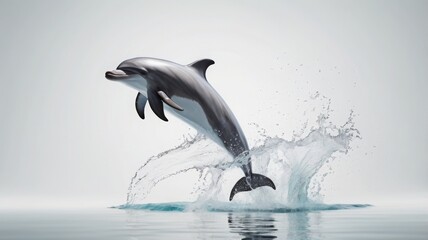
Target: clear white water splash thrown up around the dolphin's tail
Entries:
(291, 164)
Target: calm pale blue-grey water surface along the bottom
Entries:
(110, 223)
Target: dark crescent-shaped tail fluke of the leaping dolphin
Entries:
(249, 183)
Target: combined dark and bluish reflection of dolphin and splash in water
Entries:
(301, 225)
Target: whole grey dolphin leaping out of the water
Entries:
(188, 95)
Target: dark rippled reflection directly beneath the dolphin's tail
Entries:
(252, 225)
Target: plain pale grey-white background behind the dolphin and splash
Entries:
(69, 137)
